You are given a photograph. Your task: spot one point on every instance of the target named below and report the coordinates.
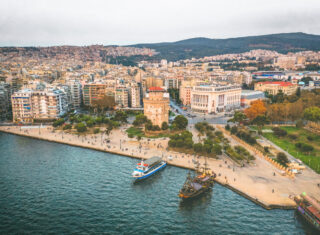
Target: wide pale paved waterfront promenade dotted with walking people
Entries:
(260, 181)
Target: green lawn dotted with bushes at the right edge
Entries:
(311, 159)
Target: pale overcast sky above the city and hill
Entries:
(125, 22)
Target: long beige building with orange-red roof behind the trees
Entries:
(274, 87)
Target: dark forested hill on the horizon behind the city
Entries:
(200, 47)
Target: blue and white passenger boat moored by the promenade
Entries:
(148, 167)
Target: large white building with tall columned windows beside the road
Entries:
(215, 98)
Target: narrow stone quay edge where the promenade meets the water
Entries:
(234, 189)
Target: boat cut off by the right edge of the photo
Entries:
(309, 209)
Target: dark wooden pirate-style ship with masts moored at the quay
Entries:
(196, 185)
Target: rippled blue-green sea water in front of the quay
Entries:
(50, 188)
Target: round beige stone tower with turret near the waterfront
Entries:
(156, 106)
